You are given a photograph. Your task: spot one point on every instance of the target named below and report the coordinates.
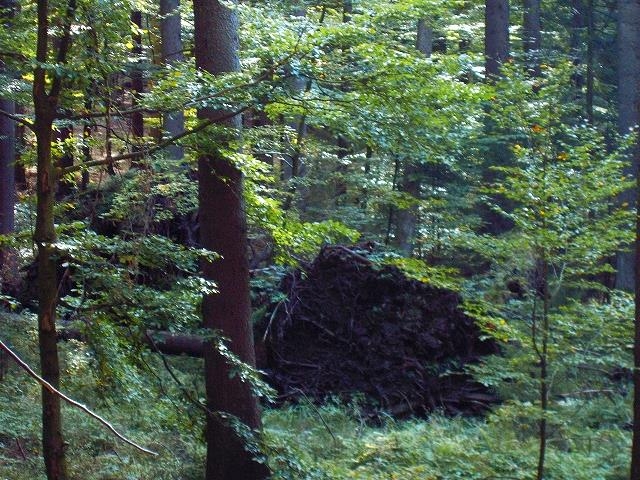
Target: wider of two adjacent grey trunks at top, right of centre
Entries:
(496, 45)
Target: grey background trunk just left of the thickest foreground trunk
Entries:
(172, 123)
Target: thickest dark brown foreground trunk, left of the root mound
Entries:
(223, 230)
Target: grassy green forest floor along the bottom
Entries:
(303, 441)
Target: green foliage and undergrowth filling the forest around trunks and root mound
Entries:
(508, 190)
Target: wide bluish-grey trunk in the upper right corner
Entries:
(628, 113)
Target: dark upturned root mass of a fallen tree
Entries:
(349, 326)
